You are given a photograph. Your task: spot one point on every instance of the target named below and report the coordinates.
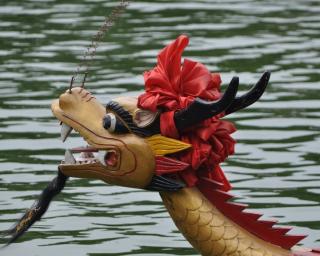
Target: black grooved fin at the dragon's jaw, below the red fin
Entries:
(160, 183)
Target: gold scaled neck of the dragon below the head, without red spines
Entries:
(210, 232)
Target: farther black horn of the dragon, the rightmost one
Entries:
(251, 96)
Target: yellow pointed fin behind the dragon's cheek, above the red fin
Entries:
(163, 145)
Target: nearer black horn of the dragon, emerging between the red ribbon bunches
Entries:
(200, 110)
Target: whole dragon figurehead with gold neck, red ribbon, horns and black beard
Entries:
(170, 139)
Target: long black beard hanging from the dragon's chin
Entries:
(37, 209)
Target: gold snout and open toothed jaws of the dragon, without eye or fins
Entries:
(121, 159)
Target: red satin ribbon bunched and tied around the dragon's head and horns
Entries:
(172, 86)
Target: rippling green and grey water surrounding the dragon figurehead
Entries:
(276, 168)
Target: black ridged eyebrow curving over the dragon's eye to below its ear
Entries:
(126, 117)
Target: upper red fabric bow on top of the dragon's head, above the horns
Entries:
(172, 86)
